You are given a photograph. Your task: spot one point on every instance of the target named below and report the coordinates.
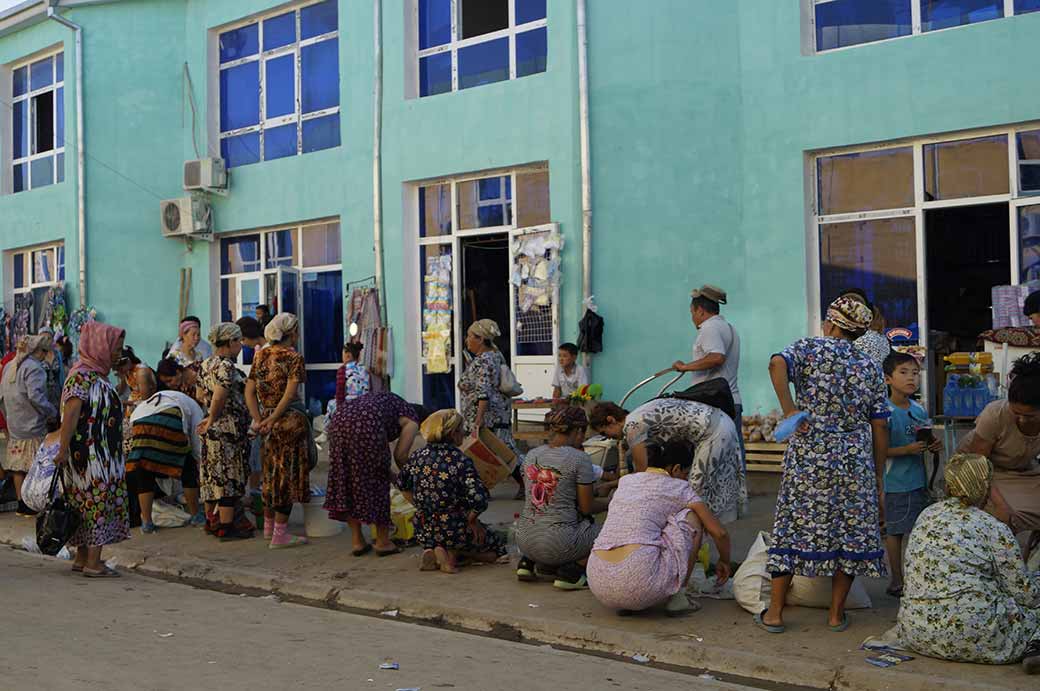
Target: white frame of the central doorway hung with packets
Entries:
(455, 241)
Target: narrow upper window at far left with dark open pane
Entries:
(38, 123)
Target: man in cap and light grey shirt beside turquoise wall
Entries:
(717, 351)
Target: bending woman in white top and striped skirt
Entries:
(164, 444)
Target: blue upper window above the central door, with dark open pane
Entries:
(471, 43)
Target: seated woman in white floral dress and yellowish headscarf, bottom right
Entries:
(969, 597)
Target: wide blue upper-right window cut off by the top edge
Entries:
(844, 23)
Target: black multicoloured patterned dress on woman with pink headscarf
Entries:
(95, 477)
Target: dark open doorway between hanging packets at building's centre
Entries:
(486, 285)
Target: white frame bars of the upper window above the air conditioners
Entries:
(263, 58)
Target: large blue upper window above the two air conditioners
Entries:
(280, 85)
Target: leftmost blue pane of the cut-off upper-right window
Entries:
(852, 22)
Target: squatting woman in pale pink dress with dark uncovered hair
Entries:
(648, 546)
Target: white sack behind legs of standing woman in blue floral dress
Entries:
(752, 583)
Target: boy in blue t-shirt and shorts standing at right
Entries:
(906, 484)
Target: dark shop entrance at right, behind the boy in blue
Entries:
(968, 254)
